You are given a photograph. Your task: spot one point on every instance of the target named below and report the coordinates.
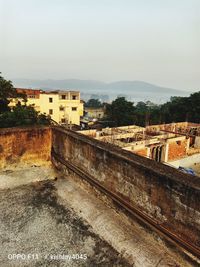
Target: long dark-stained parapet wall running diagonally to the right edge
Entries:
(165, 194)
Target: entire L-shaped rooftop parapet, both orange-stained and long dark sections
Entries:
(170, 197)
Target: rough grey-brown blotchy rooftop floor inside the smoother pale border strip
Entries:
(34, 223)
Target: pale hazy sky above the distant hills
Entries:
(155, 41)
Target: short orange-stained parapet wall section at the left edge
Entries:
(25, 145)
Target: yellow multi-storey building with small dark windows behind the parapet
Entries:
(64, 107)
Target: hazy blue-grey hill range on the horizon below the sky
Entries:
(133, 90)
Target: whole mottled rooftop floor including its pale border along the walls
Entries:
(55, 220)
